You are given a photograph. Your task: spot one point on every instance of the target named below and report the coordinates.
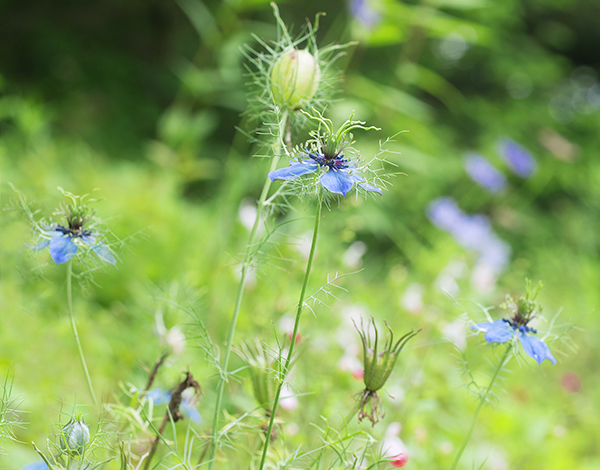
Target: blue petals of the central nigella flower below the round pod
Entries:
(339, 177)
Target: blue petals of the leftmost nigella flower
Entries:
(63, 245)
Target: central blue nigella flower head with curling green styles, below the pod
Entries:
(329, 161)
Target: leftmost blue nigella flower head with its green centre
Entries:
(64, 240)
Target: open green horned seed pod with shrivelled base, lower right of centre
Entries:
(378, 368)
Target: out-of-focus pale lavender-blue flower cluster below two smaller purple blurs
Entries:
(472, 232)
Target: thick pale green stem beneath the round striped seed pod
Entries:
(240, 293)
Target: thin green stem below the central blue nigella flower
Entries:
(299, 309)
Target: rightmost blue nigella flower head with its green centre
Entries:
(521, 312)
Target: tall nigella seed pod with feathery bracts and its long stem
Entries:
(284, 76)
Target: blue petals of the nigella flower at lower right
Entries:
(502, 331)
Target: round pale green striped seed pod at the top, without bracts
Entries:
(295, 78)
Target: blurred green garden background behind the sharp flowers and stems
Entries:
(142, 100)
